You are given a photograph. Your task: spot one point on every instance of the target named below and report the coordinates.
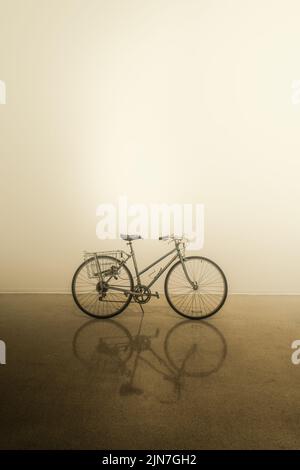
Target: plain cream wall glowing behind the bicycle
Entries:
(161, 100)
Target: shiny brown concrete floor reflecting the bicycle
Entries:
(149, 382)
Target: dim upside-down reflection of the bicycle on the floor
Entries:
(191, 349)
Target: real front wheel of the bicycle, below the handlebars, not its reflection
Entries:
(211, 291)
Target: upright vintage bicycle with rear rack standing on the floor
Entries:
(103, 286)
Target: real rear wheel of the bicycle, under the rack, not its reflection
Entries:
(99, 299)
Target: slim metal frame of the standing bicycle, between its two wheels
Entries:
(138, 273)
